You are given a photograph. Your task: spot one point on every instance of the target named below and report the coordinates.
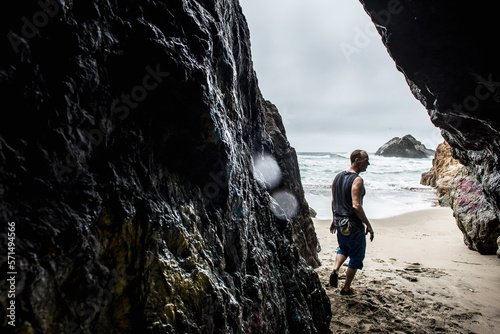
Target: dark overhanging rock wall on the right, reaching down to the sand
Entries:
(444, 49)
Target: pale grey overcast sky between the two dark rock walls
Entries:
(336, 87)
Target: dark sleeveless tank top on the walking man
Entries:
(342, 206)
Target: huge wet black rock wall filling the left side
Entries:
(128, 170)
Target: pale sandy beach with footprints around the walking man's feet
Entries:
(418, 277)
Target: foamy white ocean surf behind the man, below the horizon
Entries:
(392, 184)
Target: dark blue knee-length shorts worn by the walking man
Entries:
(353, 246)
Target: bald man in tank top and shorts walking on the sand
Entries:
(349, 220)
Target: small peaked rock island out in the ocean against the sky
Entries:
(406, 147)
